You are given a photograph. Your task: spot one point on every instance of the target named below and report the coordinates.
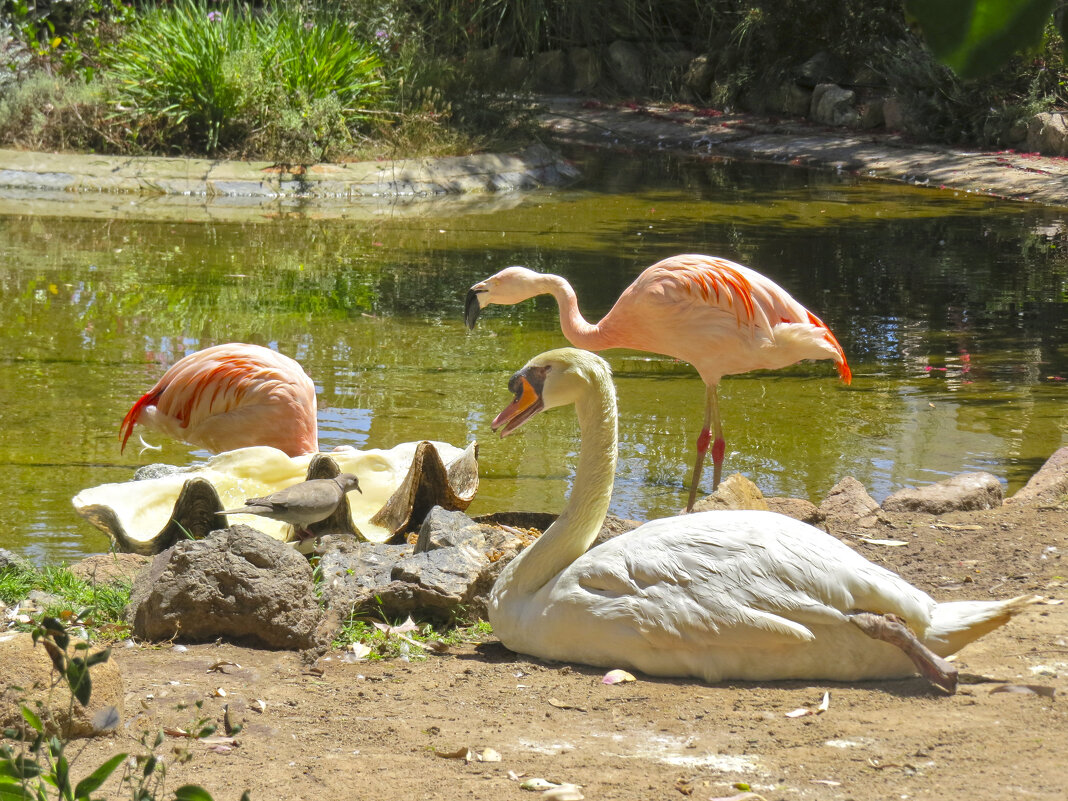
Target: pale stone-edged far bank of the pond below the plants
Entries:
(165, 189)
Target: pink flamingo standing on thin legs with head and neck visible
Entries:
(720, 317)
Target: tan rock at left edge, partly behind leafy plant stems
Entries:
(29, 678)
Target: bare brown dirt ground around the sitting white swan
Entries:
(400, 730)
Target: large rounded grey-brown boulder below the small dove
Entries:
(237, 584)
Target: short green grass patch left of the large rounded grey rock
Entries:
(101, 608)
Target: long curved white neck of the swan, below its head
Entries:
(579, 524)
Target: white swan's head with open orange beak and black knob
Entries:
(554, 379)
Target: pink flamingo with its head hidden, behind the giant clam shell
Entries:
(230, 397)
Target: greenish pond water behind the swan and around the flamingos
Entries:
(951, 308)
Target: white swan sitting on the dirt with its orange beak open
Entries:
(717, 595)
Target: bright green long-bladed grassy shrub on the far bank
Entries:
(208, 81)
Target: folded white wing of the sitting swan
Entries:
(704, 579)
